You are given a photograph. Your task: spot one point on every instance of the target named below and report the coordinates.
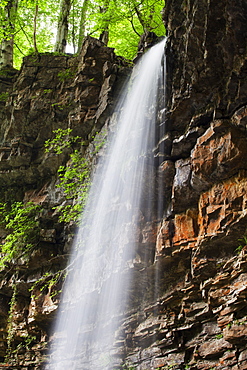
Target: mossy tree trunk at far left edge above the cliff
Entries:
(7, 43)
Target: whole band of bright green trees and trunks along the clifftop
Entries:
(47, 25)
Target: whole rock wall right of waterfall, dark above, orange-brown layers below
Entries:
(198, 320)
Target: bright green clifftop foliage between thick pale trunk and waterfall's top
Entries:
(125, 21)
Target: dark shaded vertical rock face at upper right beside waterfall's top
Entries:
(206, 52)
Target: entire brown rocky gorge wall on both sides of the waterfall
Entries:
(197, 316)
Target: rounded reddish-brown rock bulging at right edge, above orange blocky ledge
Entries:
(218, 154)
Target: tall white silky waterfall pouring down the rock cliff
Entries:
(96, 292)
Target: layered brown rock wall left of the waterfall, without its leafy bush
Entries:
(50, 92)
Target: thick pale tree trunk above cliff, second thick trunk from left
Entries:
(62, 28)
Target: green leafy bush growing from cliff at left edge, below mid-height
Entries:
(20, 221)
